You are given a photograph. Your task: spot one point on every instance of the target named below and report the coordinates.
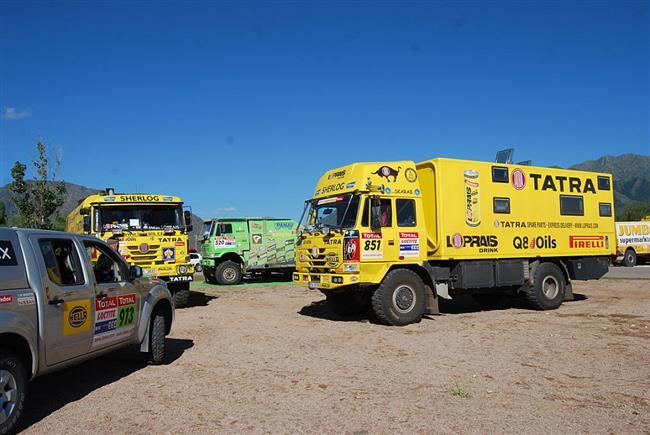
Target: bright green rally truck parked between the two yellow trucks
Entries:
(236, 246)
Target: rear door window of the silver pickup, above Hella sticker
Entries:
(61, 262)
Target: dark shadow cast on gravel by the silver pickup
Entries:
(51, 392)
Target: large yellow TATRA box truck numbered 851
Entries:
(396, 236)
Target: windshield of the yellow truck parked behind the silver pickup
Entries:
(140, 217)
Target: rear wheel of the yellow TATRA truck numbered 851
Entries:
(547, 292)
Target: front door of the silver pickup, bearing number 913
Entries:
(117, 301)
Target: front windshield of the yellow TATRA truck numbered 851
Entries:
(333, 212)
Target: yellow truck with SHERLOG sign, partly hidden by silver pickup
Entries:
(152, 231)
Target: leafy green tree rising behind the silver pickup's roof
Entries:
(37, 200)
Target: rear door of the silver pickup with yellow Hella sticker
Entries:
(69, 300)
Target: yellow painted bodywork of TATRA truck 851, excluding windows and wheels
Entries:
(456, 216)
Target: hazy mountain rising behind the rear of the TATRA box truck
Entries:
(631, 176)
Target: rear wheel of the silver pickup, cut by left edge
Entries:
(13, 390)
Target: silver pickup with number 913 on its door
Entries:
(66, 298)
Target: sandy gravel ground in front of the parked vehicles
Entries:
(274, 359)
